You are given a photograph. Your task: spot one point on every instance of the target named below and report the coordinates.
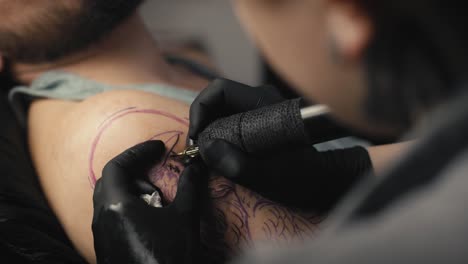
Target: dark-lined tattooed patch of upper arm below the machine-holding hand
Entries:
(254, 218)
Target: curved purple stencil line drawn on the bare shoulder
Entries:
(111, 119)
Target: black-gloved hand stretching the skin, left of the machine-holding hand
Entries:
(127, 230)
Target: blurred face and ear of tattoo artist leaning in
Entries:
(316, 45)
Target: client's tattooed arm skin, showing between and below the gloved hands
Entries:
(235, 217)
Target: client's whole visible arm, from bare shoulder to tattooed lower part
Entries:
(71, 142)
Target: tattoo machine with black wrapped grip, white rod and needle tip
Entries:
(271, 127)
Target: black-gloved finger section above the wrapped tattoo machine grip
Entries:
(224, 98)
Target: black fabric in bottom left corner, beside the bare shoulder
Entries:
(29, 231)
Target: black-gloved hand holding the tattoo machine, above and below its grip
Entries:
(299, 176)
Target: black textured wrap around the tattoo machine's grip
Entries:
(261, 129)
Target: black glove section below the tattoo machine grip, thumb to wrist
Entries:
(299, 177)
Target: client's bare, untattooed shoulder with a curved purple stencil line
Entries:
(71, 142)
